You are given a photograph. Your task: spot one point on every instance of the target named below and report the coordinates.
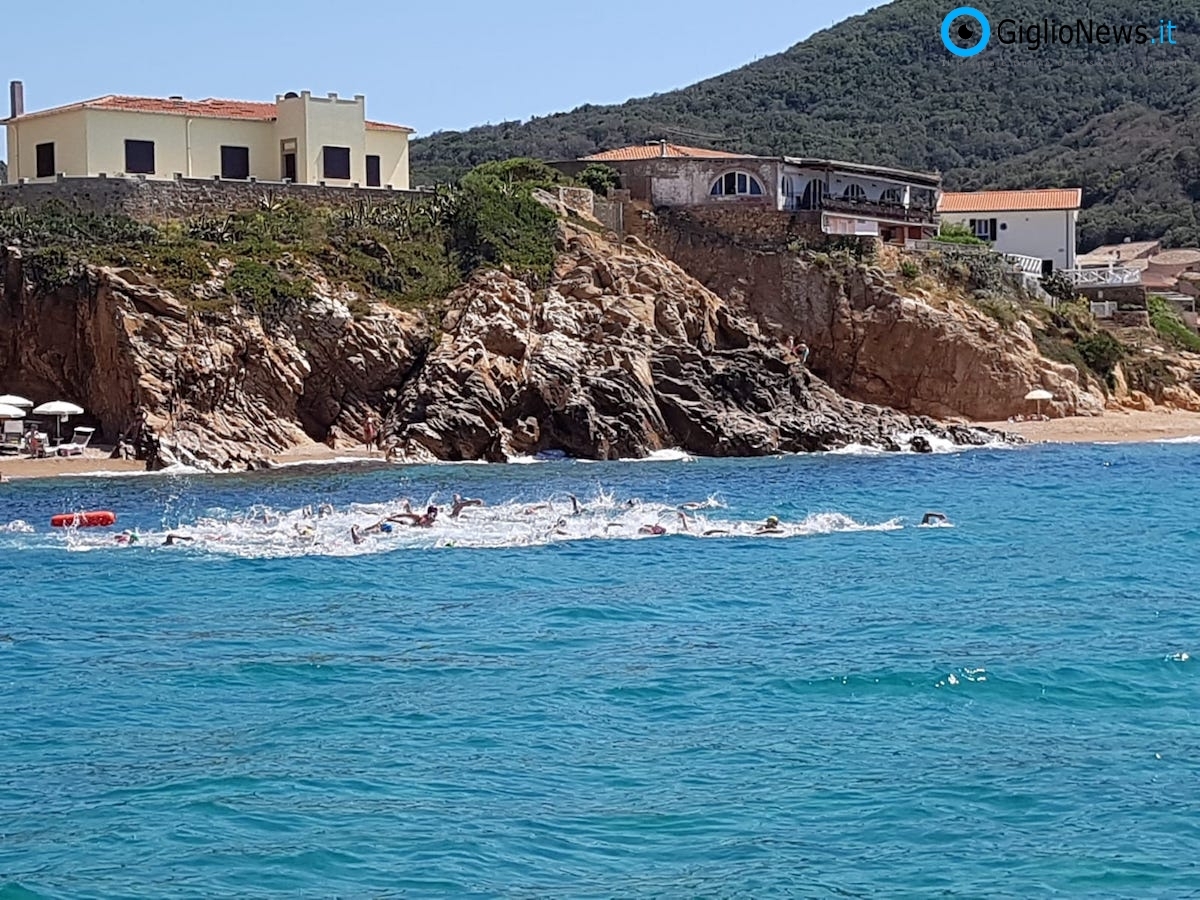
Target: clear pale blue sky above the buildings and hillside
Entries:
(436, 65)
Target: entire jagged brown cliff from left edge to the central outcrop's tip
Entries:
(622, 353)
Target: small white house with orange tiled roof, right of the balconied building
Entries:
(1031, 224)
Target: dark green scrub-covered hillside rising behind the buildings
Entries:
(880, 88)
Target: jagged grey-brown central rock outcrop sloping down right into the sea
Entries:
(623, 355)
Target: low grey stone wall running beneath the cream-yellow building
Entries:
(157, 200)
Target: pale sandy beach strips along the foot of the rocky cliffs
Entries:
(1113, 428)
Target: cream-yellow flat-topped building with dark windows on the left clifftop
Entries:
(299, 137)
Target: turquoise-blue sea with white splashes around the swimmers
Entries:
(1010, 707)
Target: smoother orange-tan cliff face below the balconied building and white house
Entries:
(879, 341)
